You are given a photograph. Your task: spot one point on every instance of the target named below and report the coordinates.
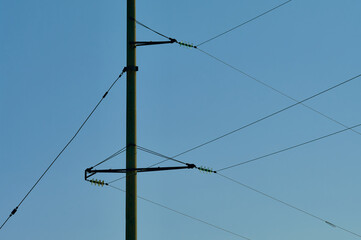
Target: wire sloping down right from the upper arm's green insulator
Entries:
(276, 90)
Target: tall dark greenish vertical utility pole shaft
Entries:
(131, 158)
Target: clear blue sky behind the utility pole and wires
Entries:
(57, 58)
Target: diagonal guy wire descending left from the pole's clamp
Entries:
(59, 154)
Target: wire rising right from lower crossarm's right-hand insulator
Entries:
(288, 148)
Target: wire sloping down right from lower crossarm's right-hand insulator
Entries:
(288, 205)
